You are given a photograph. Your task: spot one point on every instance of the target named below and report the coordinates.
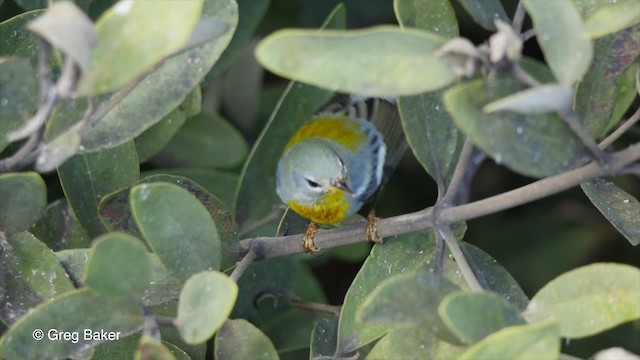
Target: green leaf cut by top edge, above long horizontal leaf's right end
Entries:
(435, 16)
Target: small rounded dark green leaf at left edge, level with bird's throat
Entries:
(23, 197)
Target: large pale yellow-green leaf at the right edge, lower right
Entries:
(589, 300)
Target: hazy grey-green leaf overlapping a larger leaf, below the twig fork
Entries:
(409, 299)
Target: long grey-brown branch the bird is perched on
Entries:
(269, 247)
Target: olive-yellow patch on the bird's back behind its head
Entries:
(342, 130)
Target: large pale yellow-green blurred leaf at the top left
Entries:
(133, 36)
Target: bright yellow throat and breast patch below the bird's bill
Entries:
(332, 209)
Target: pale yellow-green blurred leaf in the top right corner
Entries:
(612, 17)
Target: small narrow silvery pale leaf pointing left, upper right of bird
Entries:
(536, 100)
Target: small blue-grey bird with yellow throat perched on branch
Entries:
(338, 160)
